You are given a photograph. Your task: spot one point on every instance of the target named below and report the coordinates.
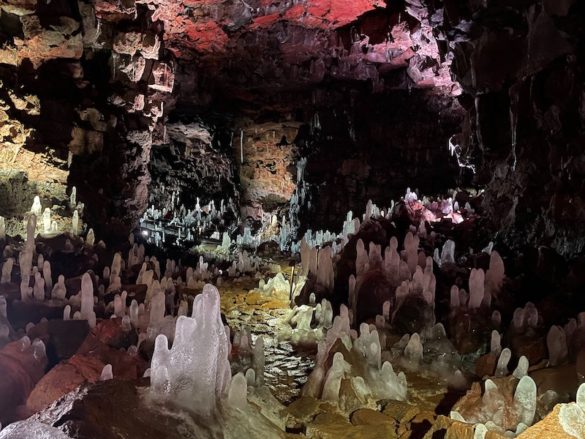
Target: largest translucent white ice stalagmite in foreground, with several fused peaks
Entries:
(195, 372)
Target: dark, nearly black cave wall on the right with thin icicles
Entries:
(521, 65)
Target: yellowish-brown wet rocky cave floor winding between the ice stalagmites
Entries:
(288, 367)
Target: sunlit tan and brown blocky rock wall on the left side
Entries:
(96, 87)
